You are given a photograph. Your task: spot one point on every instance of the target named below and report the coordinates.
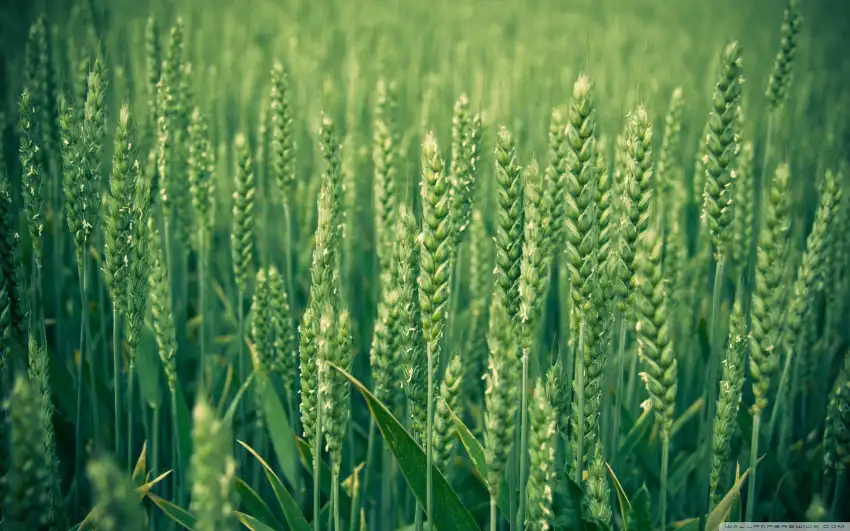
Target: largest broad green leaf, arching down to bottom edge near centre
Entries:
(451, 513)
